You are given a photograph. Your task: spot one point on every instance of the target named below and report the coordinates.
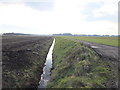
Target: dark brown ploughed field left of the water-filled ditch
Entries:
(23, 59)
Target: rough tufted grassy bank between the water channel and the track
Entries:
(76, 66)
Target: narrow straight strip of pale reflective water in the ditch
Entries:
(45, 77)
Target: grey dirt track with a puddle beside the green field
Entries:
(104, 51)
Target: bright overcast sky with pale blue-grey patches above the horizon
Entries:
(59, 16)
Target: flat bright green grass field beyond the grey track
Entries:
(113, 41)
